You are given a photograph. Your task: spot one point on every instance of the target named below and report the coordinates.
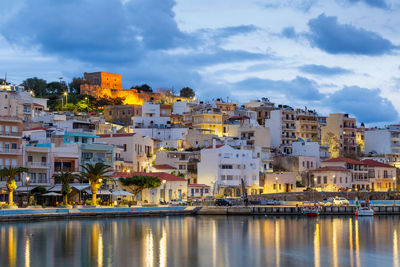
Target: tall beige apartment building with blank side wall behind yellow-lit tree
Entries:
(340, 135)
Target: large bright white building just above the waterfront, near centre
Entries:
(224, 167)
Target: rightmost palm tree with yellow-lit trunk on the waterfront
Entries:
(95, 174)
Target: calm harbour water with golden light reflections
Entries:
(203, 241)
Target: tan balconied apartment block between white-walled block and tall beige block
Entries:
(307, 127)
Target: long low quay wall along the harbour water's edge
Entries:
(67, 213)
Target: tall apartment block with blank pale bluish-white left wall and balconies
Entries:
(282, 123)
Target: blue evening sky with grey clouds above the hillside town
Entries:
(328, 55)
